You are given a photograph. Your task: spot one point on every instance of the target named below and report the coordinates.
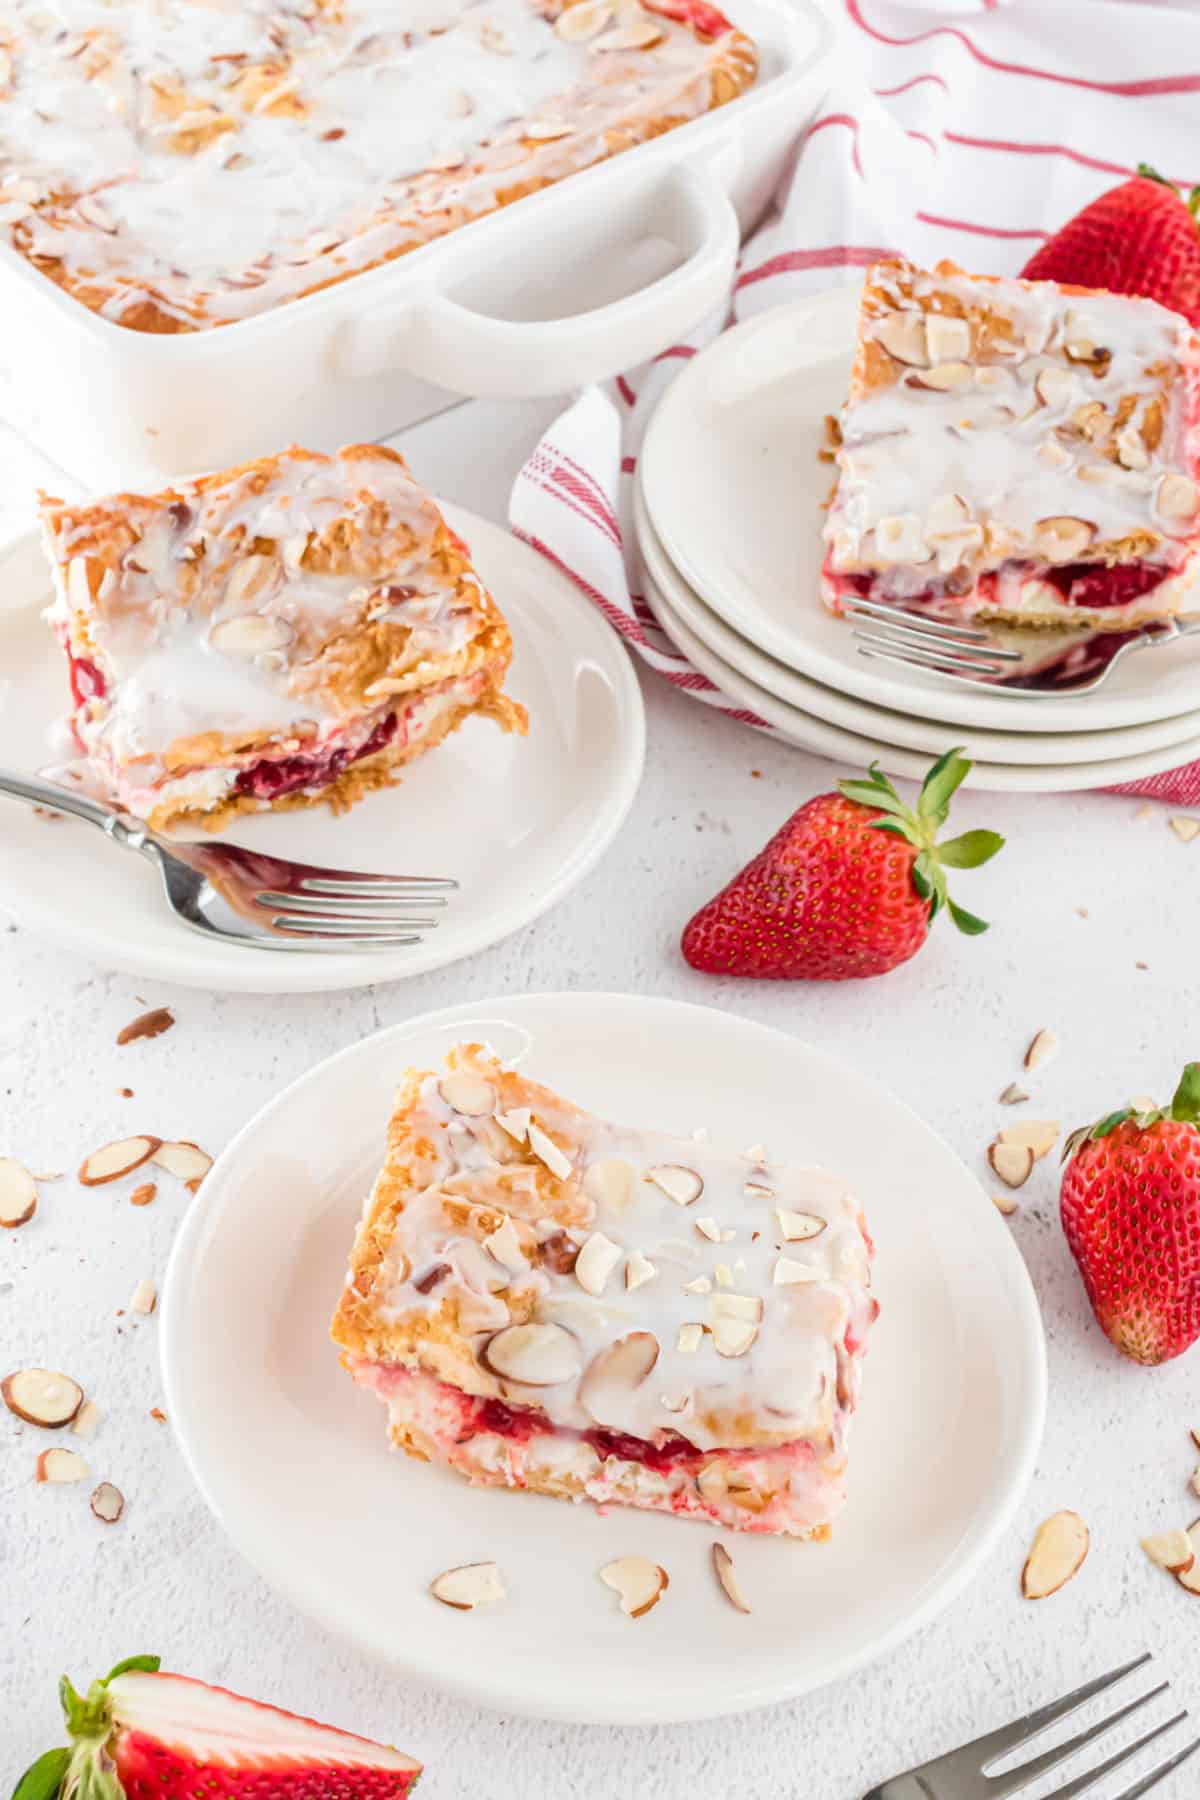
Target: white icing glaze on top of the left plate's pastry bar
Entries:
(150, 627)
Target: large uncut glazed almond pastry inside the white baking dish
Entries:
(186, 165)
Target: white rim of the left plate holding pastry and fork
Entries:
(327, 973)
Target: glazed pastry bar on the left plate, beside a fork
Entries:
(280, 634)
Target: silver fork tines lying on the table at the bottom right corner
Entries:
(963, 1774)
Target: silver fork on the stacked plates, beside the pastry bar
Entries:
(1007, 660)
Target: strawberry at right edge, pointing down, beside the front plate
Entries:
(1131, 1209)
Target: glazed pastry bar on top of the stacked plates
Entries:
(1019, 451)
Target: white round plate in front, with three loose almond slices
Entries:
(294, 1462)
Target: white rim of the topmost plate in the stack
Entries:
(931, 701)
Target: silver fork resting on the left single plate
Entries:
(247, 897)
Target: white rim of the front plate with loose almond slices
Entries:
(499, 1693)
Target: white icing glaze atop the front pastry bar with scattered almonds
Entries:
(796, 1381)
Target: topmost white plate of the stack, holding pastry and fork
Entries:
(735, 487)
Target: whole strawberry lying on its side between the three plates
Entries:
(848, 888)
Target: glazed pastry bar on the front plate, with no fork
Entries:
(550, 1302)
